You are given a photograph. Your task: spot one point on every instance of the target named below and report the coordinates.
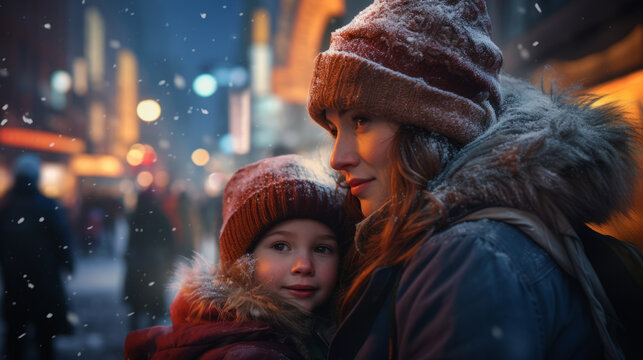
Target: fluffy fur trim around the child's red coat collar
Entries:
(208, 293)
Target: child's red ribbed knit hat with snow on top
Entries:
(272, 190)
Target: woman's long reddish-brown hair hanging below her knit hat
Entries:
(410, 216)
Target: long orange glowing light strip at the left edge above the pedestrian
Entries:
(40, 140)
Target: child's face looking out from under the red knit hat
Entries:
(299, 260)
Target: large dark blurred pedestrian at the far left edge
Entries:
(34, 254)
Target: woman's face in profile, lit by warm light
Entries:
(361, 154)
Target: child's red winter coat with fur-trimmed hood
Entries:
(226, 316)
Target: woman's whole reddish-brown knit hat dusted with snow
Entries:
(428, 63)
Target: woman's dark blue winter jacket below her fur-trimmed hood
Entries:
(478, 290)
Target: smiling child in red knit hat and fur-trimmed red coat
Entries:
(280, 245)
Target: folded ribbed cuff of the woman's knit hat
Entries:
(343, 80)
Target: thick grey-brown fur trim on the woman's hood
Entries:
(544, 152)
